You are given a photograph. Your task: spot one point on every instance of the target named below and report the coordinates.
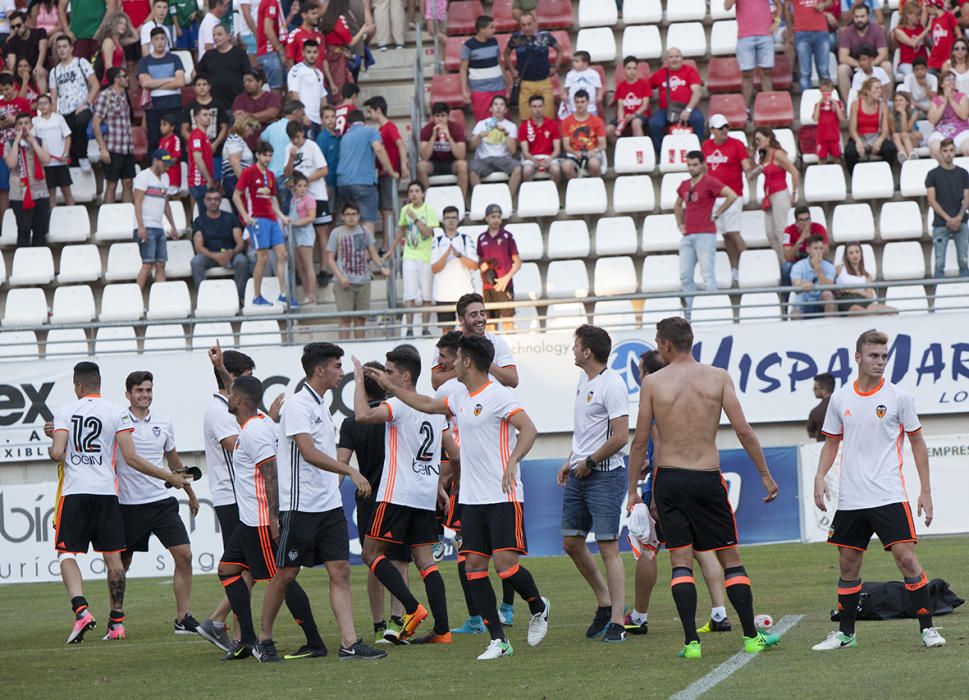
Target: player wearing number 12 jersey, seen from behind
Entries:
(86, 434)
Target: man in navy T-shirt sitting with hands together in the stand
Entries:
(218, 242)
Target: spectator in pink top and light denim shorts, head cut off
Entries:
(756, 22)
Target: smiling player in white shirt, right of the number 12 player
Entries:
(147, 507)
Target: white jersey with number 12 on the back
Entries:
(89, 461)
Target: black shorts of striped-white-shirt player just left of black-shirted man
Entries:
(309, 539)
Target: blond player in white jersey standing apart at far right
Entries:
(869, 418)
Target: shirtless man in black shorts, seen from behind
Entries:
(689, 493)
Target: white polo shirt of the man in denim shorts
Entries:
(597, 401)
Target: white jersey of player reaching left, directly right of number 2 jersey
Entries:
(487, 441)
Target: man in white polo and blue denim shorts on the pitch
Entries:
(594, 477)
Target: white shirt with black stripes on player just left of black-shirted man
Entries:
(302, 486)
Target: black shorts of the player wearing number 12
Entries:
(85, 519)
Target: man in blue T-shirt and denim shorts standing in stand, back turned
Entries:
(356, 176)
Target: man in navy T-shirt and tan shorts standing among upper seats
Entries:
(532, 68)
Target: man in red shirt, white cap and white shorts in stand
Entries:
(727, 160)
